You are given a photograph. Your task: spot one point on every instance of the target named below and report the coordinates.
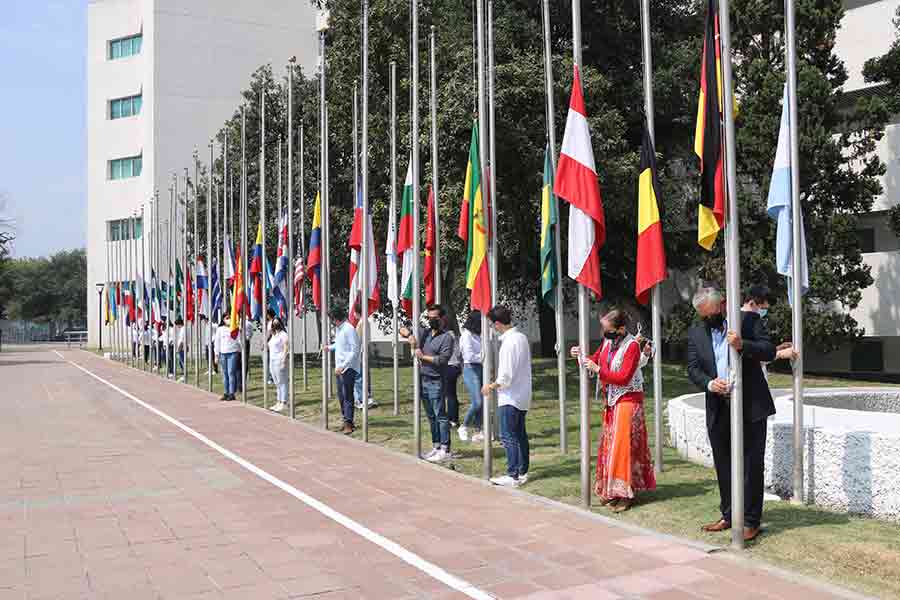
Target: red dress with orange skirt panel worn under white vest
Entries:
(624, 466)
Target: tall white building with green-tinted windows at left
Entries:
(163, 75)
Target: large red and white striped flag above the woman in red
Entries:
(576, 182)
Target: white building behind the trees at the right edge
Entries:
(868, 31)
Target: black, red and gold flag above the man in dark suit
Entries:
(708, 140)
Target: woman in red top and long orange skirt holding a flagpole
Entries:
(624, 466)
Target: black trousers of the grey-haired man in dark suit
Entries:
(754, 464)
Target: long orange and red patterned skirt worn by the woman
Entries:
(624, 466)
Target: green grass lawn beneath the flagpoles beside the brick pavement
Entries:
(859, 553)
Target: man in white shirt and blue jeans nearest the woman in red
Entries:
(513, 386)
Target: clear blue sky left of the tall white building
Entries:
(42, 122)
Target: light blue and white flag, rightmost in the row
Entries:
(779, 207)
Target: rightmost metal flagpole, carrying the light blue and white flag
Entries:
(796, 253)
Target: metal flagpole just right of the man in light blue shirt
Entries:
(364, 254)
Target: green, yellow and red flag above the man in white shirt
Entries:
(473, 229)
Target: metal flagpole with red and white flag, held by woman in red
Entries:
(584, 308)
